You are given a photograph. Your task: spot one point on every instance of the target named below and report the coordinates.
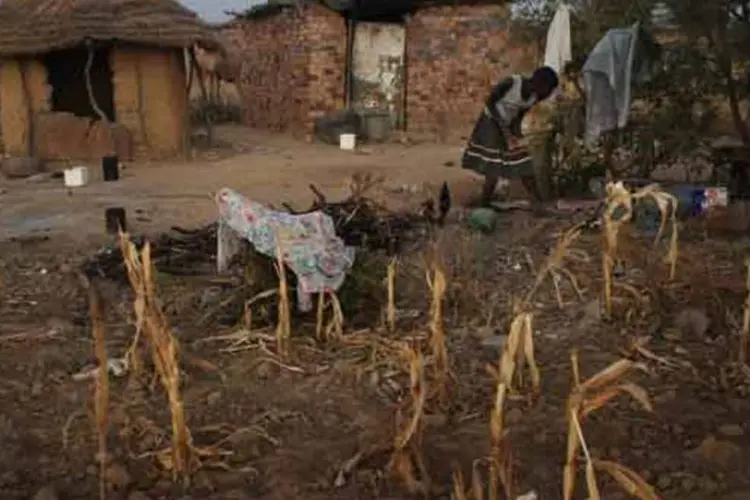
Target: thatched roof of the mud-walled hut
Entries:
(38, 26)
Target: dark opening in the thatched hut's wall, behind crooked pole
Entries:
(66, 70)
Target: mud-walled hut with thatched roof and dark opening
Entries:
(80, 79)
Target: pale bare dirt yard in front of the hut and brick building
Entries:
(271, 169)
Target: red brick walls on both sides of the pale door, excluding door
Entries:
(295, 64)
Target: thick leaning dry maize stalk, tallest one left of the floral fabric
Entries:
(151, 321)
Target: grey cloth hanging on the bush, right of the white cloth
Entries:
(607, 78)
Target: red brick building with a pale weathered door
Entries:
(427, 64)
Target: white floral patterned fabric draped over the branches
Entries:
(308, 242)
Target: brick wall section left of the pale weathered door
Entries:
(292, 66)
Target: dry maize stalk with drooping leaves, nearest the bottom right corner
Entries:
(585, 398)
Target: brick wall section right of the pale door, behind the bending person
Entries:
(454, 55)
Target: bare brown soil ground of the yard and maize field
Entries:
(292, 424)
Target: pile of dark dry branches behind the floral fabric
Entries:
(358, 220)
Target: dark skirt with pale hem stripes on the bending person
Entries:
(487, 152)
